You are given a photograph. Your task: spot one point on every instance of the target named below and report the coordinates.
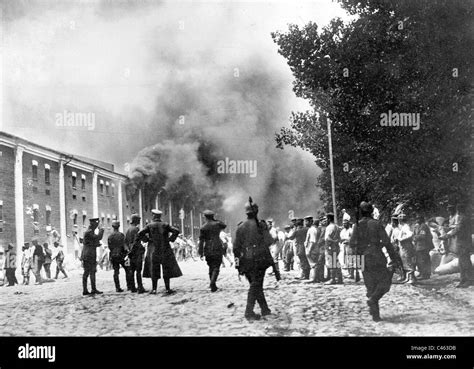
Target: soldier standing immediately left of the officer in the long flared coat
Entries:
(135, 254)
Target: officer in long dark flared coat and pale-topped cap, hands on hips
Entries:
(159, 254)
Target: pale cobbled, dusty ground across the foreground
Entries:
(434, 308)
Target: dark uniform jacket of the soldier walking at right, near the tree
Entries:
(368, 238)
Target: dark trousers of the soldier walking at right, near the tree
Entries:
(377, 280)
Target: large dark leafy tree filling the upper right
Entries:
(404, 56)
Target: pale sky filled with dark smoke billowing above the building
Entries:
(174, 87)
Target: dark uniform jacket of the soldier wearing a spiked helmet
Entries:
(251, 246)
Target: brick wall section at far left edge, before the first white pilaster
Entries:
(7, 195)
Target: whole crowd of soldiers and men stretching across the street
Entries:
(322, 251)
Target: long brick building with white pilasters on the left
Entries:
(41, 187)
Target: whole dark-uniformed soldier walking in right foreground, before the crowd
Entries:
(367, 239)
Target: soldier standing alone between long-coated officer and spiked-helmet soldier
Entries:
(210, 246)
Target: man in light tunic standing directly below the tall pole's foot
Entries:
(331, 238)
